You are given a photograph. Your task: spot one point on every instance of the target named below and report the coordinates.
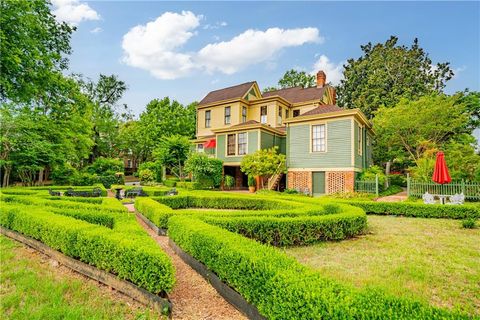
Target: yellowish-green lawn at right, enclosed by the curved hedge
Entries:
(434, 260)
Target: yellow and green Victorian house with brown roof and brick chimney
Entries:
(325, 145)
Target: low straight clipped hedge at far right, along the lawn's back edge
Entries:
(412, 209)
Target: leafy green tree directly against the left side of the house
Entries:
(164, 118)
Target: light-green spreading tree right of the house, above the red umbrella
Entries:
(411, 128)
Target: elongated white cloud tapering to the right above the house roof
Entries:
(252, 47)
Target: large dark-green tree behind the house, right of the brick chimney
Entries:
(387, 72)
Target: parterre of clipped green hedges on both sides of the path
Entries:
(238, 237)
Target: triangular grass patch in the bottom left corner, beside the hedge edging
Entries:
(32, 289)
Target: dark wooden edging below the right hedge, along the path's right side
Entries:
(229, 294)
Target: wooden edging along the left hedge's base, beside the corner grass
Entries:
(160, 304)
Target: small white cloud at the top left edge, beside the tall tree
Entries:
(73, 11)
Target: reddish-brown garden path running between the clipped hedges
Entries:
(192, 297)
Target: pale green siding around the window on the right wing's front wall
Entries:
(338, 146)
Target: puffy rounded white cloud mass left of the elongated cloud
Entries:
(153, 46)
